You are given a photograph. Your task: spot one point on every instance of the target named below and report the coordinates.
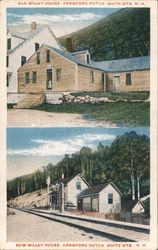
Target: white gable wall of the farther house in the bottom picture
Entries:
(72, 191)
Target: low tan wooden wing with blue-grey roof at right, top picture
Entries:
(130, 74)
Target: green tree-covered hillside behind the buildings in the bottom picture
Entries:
(125, 162)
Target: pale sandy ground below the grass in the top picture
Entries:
(35, 118)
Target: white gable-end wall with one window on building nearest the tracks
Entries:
(106, 208)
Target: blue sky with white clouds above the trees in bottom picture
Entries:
(29, 149)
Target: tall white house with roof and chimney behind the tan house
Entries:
(21, 46)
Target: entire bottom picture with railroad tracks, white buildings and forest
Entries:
(78, 184)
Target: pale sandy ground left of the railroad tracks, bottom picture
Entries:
(30, 228)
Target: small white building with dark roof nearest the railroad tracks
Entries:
(103, 198)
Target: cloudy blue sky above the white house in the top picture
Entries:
(62, 20)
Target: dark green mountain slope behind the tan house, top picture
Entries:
(123, 34)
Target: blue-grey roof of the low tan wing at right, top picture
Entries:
(128, 64)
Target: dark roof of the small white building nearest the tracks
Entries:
(96, 189)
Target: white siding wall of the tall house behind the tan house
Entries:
(27, 49)
